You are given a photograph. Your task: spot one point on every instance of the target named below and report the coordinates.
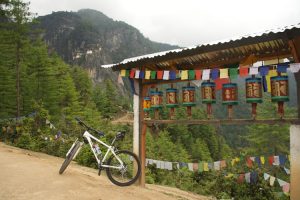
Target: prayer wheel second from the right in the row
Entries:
(254, 93)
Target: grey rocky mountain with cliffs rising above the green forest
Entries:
(89, 38)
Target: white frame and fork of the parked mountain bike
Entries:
(89, 138)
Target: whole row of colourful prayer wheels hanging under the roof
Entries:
(279, 94)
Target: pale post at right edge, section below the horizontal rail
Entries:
(295, 162)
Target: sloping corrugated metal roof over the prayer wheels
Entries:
(268, 41)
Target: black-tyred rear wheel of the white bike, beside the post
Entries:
(127, 174)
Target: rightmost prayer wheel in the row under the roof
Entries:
(280, 92)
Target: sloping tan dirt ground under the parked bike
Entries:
(34, 176)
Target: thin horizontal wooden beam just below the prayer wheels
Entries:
(224, 121)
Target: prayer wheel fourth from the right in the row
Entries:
(208, 96)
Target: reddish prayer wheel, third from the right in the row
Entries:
(230, 96)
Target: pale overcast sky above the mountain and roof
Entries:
(187, 22)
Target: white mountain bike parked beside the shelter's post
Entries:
(122, 167)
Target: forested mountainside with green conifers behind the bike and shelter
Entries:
(44, 77)
